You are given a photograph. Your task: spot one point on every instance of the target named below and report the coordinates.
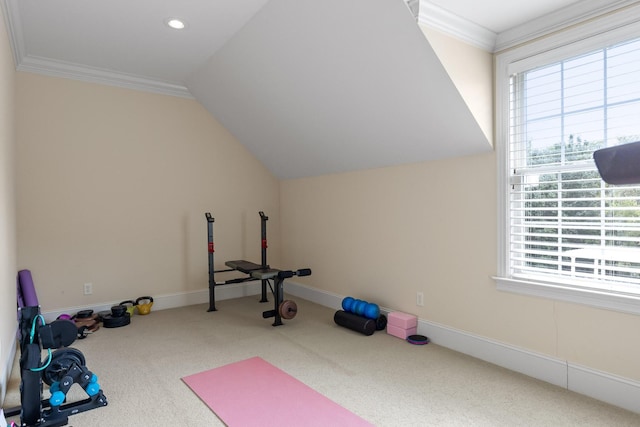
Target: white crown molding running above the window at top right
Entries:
(561, 19)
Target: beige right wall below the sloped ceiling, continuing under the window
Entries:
(382, 235)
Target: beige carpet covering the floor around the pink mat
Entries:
(381, 378)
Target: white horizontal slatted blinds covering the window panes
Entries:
(565, 223)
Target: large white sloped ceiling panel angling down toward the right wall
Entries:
(316, 87)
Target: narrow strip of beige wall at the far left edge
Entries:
(7, 210)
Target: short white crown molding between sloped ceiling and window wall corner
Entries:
(440, 19)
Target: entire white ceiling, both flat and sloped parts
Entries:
(311, 87)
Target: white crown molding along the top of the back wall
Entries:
(68, 70)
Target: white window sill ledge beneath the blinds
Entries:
(610, 300)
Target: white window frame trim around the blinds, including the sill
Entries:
(613, 28)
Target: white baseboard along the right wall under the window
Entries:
(602, 386)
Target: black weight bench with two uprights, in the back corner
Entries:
(283, 309)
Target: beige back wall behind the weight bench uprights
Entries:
(112, 189)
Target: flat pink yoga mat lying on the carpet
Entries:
(253, 392)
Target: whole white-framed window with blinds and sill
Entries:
(564, 232)
